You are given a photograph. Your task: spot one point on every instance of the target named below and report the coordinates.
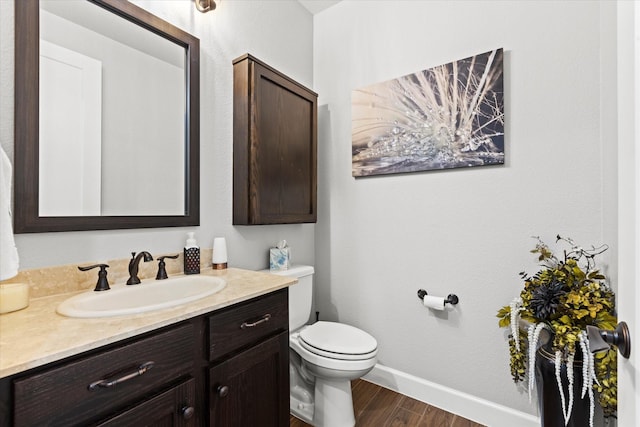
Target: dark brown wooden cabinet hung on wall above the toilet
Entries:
(274, 146)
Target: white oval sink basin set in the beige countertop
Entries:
(147, 296)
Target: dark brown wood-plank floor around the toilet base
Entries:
(376, 406)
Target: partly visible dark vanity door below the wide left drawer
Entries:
(175, 407)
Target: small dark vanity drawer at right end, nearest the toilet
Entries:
(247, 323)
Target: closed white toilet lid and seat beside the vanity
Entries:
(338, 341)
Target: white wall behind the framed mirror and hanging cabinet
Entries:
(277, 32)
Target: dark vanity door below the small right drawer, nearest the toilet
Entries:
(252, 388)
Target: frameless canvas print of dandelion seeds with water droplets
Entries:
(449, 116)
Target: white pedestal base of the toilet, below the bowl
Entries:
(333, 404)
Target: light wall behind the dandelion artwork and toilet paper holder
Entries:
(465, 231)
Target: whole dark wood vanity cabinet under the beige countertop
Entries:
(226, 368)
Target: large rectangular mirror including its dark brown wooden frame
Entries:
(106, 118)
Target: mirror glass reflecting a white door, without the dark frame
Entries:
(133, 134)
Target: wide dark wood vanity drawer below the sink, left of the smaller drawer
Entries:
(63, 395)
